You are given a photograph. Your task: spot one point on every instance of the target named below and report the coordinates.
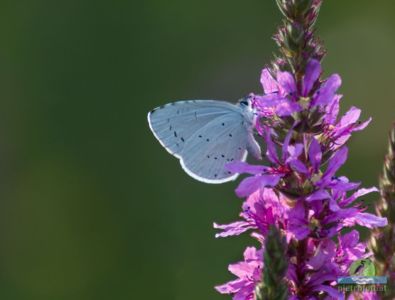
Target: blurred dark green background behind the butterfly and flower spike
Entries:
(91, 206)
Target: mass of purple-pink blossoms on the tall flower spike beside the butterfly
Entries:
(298, 190)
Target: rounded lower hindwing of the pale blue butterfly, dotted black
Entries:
(219, 142)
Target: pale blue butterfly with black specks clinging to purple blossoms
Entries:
(206, 135)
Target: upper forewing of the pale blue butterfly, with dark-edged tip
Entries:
(173, 124)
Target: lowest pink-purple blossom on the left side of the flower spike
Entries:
(249, 273)
